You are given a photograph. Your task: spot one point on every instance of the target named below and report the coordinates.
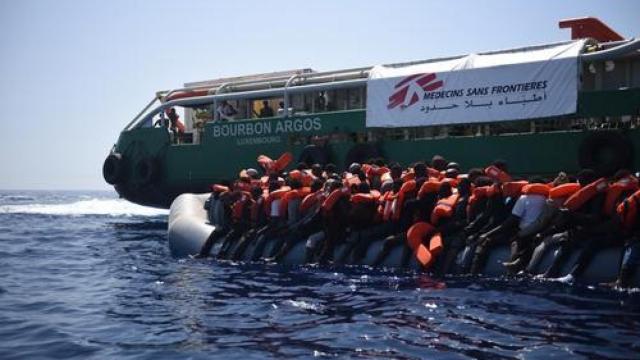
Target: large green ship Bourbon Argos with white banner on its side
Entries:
(542, 109)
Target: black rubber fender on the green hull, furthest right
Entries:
(605, 152)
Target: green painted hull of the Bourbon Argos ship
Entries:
(153, 170)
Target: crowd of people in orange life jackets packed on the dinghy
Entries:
(444, 220)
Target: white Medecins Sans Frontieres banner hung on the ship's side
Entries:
(476, 88)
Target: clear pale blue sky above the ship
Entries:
(73, 73)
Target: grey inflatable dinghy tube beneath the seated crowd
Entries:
(189, 229)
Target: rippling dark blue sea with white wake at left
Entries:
(87, 275)
